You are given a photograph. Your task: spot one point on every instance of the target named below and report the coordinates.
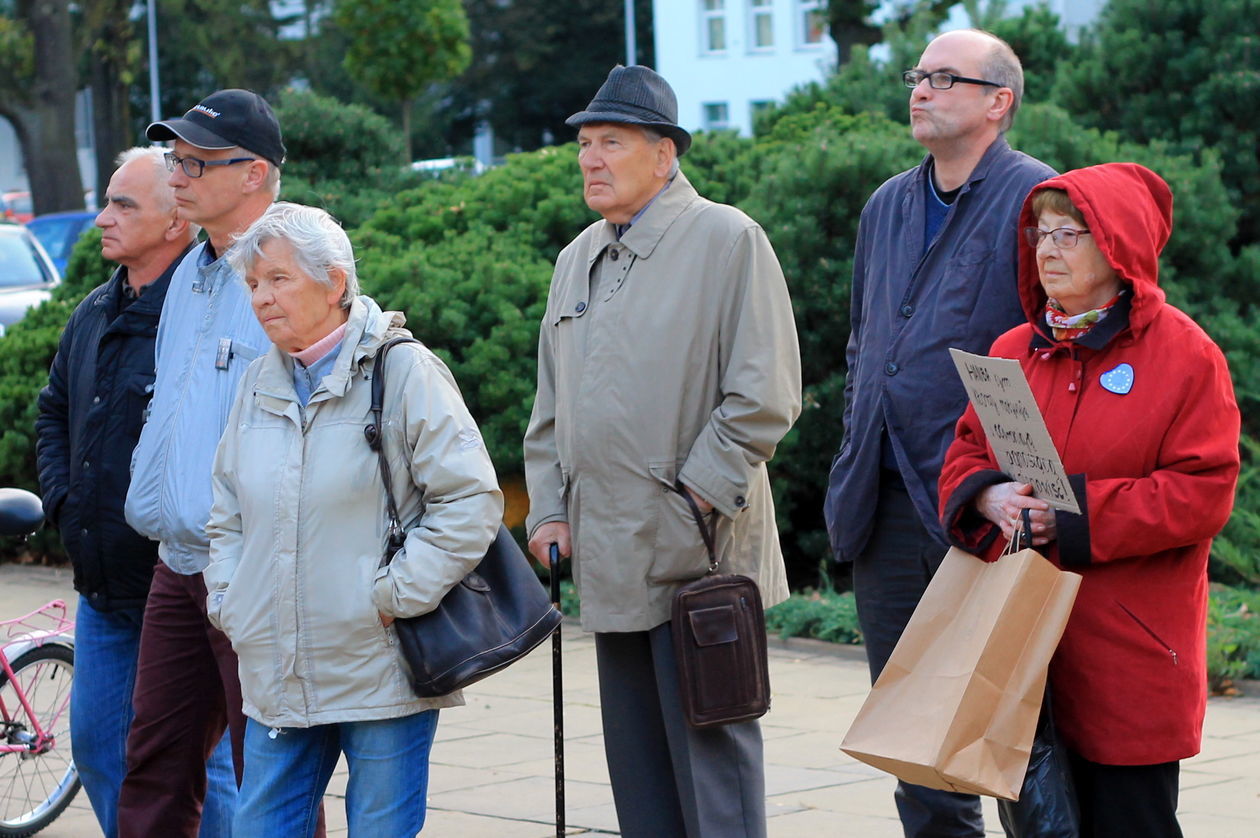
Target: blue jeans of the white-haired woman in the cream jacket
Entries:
(287, 773)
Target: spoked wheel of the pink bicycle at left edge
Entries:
(36, 787)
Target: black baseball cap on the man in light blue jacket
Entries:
(224, 120)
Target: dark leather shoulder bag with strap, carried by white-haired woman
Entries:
(492, 619)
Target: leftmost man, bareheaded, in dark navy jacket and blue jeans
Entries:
(90, 419)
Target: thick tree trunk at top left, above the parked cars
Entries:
(46, 123)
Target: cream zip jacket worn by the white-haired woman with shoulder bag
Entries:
(299, 526)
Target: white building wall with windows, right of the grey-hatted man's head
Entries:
(729, 59)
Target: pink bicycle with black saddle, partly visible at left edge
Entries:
(37, 665)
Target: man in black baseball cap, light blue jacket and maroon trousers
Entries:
(225, 169)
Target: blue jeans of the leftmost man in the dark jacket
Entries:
(106, 648)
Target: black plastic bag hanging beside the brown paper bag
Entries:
(1048, 805)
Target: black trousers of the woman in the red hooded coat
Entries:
(1127, 801)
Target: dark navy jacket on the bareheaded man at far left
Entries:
(90, 419)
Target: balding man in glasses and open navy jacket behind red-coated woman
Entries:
(934, 268)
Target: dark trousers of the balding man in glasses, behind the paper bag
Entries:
(890, 578)
